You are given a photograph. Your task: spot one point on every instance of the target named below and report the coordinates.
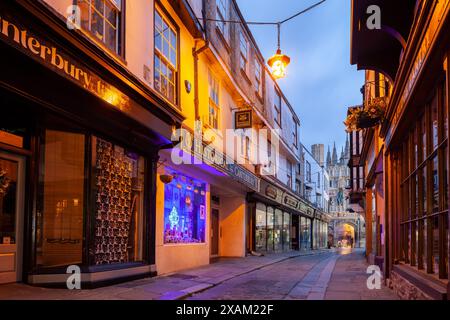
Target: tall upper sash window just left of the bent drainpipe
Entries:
(166, 59)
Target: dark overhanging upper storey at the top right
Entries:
(381, 49)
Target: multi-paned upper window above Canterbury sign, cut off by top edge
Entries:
(102, 19)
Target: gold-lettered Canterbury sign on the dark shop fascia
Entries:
(50, 55)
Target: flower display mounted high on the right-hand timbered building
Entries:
(369, 116)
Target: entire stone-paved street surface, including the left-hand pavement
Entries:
(321, 275)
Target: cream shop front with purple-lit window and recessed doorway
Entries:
(201, 208)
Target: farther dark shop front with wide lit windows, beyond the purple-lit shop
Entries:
(280, 221)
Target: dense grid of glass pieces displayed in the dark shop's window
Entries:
(115, 204)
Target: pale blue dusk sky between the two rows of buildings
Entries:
(321, 83)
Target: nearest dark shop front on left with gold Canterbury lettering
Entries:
(77, 159)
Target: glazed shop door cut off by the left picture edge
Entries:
(11, 216)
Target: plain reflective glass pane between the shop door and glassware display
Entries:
(59, 230)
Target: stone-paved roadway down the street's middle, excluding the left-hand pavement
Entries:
(334, 276)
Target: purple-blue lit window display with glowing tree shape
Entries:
(184, 210)
